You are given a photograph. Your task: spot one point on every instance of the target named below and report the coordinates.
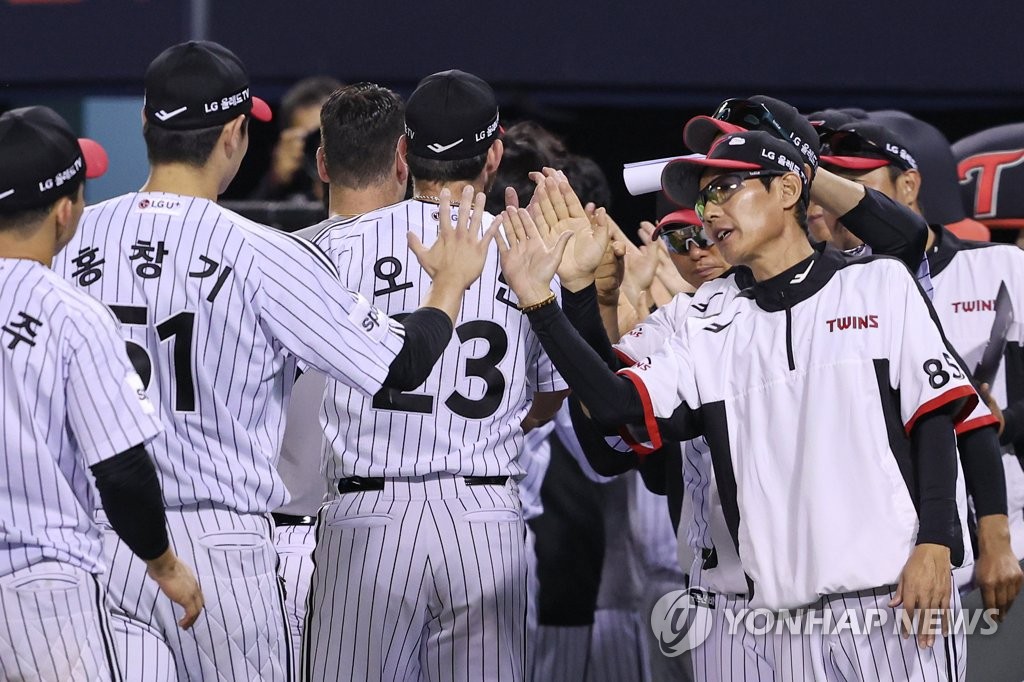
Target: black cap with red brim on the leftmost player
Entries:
(41, 159)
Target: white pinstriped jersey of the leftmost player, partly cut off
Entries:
(70, 400)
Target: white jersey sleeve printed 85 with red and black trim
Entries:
(924, 369)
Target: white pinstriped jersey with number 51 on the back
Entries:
(218, 311)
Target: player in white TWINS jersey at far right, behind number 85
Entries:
(880, 158)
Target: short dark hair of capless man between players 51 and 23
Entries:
(361, 125)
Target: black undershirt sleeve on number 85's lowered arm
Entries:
(933, 451)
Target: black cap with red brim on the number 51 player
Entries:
(199, 84)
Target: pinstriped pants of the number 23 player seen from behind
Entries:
(425, 580)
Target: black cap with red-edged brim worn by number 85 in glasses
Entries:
(745, 151)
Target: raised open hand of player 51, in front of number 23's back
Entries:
(457, 258)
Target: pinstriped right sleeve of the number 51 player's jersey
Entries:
(324, 324)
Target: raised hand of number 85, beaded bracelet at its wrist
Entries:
(529, 263)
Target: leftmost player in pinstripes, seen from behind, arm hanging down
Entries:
(73, 407)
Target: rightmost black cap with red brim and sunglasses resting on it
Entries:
(864, 146)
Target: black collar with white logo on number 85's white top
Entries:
(794, 285)
